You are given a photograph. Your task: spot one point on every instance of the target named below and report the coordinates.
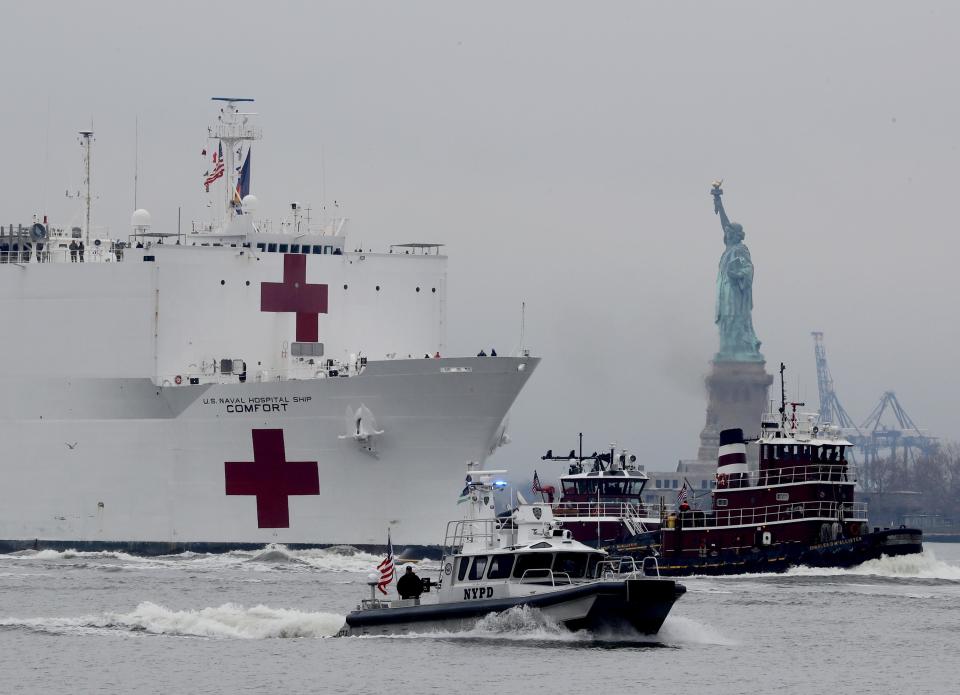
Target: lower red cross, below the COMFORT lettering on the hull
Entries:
(271, 478)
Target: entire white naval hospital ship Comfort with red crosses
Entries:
(232, 386)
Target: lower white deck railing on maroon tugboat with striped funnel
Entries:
(797, 511)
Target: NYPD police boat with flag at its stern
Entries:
(492, 564)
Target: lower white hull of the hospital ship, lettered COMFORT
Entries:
(122, 463)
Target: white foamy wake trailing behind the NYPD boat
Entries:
(229, 620)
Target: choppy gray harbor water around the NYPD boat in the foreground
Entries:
(79, 622)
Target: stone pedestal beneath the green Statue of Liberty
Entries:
(738, 397)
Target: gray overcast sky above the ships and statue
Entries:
(563, 152)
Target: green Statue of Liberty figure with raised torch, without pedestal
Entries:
(738, 342)
